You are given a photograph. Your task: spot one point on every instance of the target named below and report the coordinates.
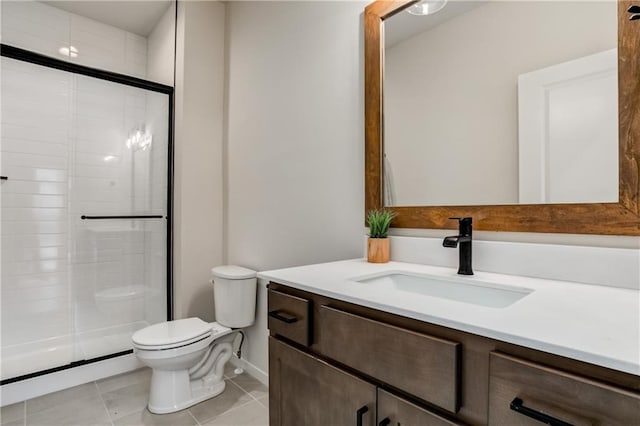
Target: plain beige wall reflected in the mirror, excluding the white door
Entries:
(451, 123)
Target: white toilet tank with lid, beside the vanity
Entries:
(234, 295)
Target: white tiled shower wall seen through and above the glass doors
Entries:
(77, 287)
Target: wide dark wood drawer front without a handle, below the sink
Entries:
(421, 365)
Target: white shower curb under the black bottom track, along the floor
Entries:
(64, 379)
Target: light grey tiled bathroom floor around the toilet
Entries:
(122, 400)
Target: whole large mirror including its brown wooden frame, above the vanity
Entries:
(503, 110)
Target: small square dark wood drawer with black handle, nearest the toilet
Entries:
(290, 317)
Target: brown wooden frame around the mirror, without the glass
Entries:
(606, 218)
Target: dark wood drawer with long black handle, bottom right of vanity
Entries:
(520, 390)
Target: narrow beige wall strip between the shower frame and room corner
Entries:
(198, 155)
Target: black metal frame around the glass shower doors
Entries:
(24, 55)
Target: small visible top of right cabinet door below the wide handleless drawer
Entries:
(396, 411)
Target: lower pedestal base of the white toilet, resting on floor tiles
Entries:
(176, 392)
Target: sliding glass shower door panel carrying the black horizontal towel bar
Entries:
(117, 206)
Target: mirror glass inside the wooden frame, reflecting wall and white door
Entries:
(452, 131)
